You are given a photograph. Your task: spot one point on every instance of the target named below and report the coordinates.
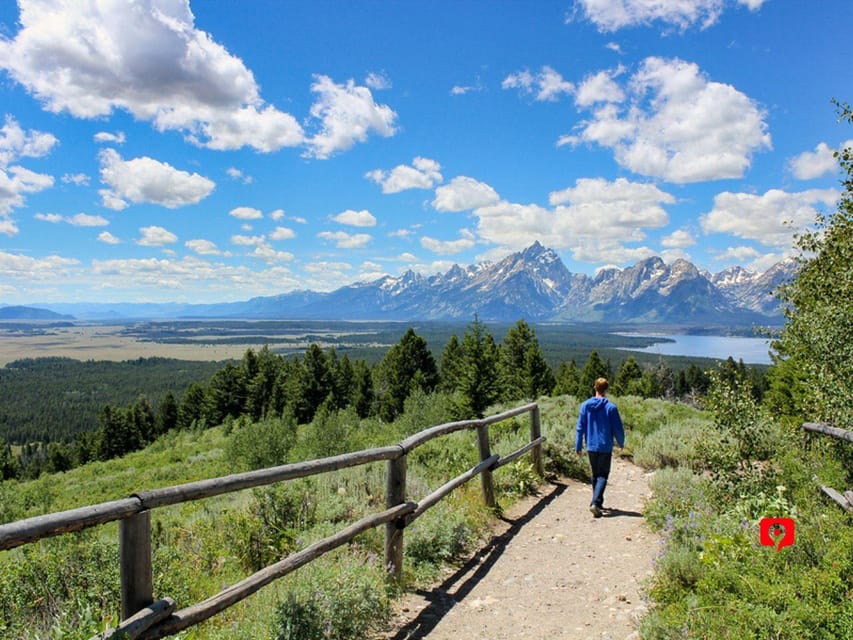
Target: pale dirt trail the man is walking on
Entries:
(551, 571)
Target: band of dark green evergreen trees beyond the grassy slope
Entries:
(475, 368)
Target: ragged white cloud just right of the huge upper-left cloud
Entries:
(347, 114)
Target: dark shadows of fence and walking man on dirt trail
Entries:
(440, 600)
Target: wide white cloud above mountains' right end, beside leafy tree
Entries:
(771, 219)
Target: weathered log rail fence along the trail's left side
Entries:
(143, 618)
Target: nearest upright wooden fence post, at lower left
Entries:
(137, 583)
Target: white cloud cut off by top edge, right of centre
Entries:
(612, 15)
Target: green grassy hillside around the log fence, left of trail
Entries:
(67, 587)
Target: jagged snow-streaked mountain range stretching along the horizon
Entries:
(533, 284)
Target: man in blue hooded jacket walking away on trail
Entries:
(599, 423)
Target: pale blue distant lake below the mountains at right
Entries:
(750, 350)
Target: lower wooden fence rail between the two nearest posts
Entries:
(221, 601)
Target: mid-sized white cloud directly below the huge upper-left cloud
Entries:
(147, 180)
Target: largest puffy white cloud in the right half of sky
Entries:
(679, 126)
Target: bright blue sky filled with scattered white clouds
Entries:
(157, 150)
